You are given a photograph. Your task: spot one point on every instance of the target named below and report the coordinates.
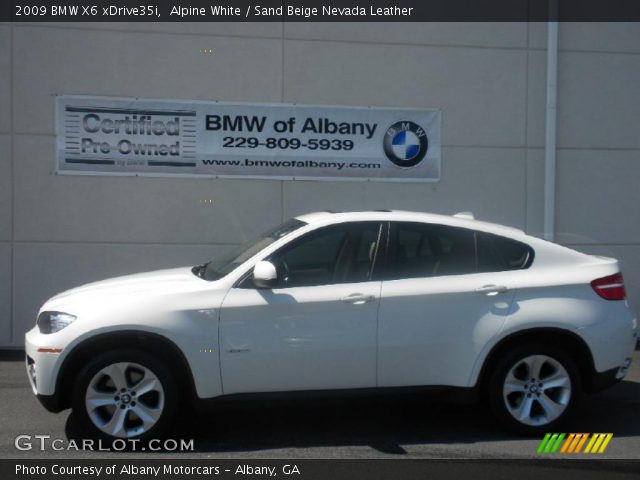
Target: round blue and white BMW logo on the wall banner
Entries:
(405, 143)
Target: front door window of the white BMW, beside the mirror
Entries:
(342, 253)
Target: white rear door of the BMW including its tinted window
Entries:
(438, 307)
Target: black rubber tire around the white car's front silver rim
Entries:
(167, 406)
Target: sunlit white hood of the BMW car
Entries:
(137, 288)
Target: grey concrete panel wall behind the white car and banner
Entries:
(489, 80)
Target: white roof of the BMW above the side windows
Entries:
(464, 220)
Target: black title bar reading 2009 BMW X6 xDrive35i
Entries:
(421, 11)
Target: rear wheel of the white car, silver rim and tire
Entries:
(534, 388)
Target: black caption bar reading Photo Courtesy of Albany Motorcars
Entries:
(459, 469)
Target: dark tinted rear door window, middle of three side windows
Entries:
(428, 250)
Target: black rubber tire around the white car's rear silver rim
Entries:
(499, 404)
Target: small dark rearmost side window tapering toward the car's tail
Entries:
(499, 254)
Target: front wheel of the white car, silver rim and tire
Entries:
(125, 394)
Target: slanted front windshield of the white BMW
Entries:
(227, 262)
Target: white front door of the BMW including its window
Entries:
(317, 329)
